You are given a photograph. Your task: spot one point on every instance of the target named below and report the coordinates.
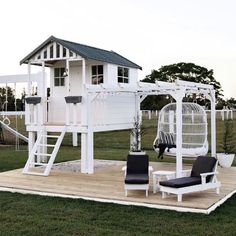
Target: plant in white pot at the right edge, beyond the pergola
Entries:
(228, 145)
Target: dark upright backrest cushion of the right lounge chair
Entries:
(203, 164)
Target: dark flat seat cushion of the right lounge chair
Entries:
(181, 182)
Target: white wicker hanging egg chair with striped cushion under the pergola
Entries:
(194, 131)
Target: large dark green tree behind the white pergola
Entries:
(183, 71)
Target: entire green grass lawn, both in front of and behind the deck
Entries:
(35, 215)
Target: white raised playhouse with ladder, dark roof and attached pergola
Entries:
(93, 90)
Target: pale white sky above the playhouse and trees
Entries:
(151, 33)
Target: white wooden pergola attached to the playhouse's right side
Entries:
(178, 90)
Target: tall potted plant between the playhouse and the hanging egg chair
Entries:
(135, 137)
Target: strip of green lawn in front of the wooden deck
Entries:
(36, 215)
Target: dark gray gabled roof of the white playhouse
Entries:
(86, 52)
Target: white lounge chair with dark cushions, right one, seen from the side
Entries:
(202, 177)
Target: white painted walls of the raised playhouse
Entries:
(108, 109)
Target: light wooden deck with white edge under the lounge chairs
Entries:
(107, 185)
